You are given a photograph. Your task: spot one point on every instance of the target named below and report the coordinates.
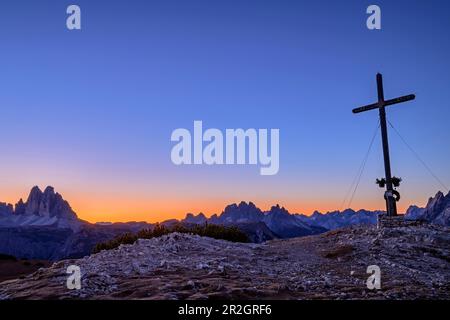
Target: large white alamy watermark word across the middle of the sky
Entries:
(239, 146)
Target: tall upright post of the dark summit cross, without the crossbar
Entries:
(391, 205)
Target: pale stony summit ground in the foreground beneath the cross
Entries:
(414, 263)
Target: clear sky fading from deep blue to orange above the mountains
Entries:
(91, 112)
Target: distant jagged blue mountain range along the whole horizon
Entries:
(46, 227)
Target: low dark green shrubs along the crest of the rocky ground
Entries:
(230, 233)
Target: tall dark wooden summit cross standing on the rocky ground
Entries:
(391, 207)
